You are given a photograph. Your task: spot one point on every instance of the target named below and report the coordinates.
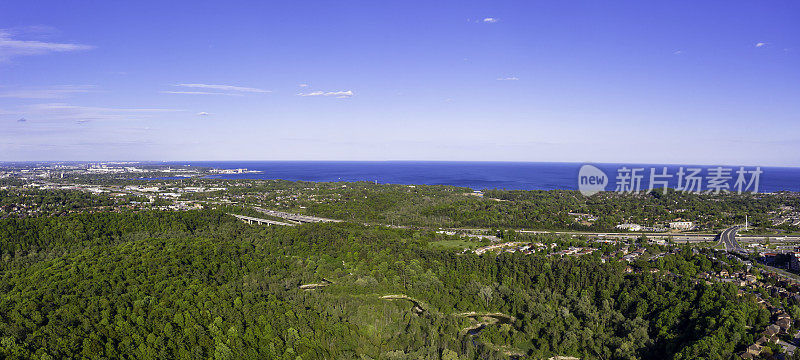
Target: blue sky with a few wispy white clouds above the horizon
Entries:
(713, 82)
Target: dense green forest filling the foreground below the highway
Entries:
(200, 285)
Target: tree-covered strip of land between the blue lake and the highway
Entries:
(435, 205)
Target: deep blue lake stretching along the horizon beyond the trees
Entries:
(480, 175)
